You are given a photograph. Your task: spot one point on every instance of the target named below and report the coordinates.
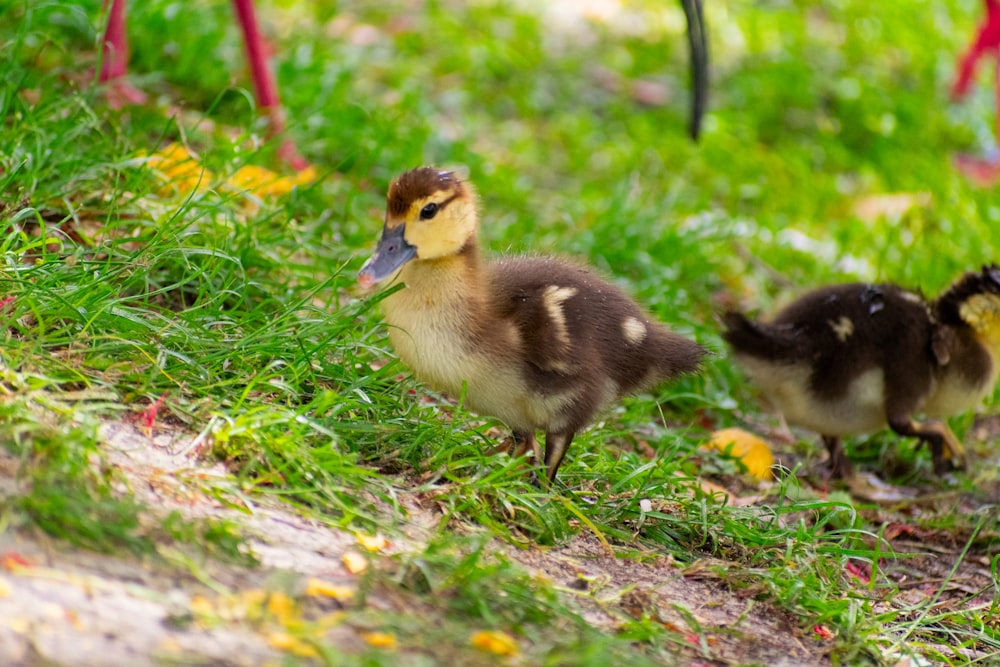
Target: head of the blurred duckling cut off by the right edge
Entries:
(975, 301)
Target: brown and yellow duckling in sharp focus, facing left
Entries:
(540, 343)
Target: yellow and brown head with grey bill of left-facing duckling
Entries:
(429, 214)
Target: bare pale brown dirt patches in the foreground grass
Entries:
(61, 606)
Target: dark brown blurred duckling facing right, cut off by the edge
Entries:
(850, 359)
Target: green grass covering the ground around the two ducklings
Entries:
(242, 316)
